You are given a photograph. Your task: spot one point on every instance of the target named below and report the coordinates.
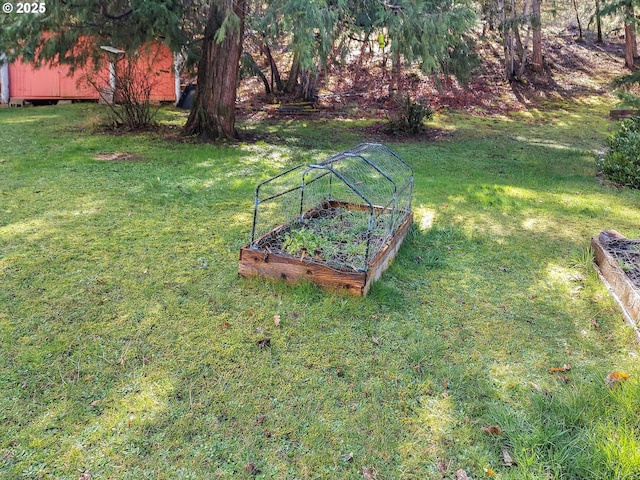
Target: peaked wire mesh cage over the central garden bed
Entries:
(341, 213)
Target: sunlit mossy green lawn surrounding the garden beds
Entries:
(131, 349)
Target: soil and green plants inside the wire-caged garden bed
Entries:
(335, 236)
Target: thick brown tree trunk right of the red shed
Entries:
(213, 115)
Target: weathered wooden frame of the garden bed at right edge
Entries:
(619, 284)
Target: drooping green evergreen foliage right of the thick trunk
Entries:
(433, 33)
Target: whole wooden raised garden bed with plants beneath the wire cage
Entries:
(312, 249)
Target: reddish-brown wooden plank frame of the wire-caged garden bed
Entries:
(294, 270)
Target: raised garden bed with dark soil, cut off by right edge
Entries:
(618, 262)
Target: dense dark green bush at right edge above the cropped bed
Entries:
(621, 164)
